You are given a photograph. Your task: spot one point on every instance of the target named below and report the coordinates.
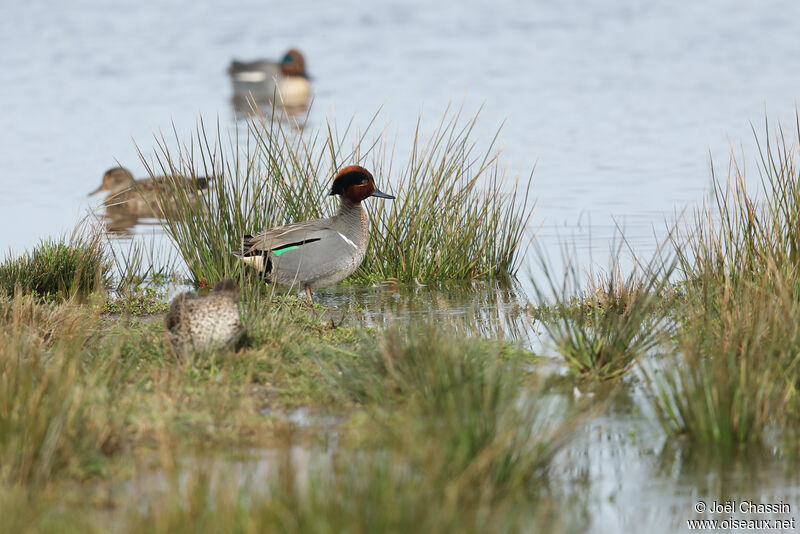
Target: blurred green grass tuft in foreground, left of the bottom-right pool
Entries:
(463, 401)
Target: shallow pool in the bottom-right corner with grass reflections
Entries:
(632, 475)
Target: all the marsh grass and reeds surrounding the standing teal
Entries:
(340, 418)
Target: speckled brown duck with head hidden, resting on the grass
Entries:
(205, 323)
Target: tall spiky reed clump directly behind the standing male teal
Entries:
(455, 217)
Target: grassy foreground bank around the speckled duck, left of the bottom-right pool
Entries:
(431, 420)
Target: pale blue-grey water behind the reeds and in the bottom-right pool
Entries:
(618, 103)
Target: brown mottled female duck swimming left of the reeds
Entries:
(140, 198)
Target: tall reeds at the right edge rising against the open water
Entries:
(735, 240)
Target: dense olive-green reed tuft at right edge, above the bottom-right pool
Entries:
(736, 372)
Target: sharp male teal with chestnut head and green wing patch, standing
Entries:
(321, 252)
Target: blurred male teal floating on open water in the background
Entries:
(286, 80)
